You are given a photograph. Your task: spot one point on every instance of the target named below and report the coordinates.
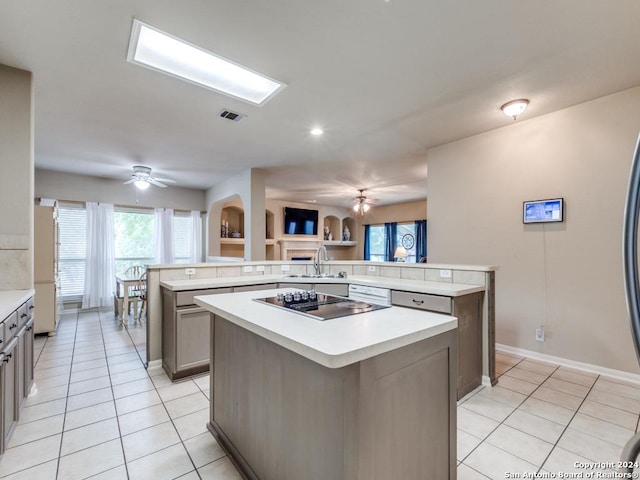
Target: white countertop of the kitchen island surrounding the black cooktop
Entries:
(332, 343)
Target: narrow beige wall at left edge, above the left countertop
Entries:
(16, 180)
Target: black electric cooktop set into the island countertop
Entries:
(320, 306)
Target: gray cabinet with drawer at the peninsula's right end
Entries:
(468, 310)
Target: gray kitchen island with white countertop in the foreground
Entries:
(360, 397)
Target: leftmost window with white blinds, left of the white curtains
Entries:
(72, 237)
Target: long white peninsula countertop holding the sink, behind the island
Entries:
(446, 289)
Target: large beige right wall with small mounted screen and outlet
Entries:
(566, 277)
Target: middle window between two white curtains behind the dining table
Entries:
(133, 229)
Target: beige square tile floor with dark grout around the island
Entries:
(96, 412)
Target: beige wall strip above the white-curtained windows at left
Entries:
(84, 188)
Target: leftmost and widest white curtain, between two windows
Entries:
(99, 277)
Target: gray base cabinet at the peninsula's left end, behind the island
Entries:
(185, 332)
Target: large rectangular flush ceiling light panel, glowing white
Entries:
(155, 49)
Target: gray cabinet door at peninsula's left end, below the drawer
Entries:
(192, 338)
